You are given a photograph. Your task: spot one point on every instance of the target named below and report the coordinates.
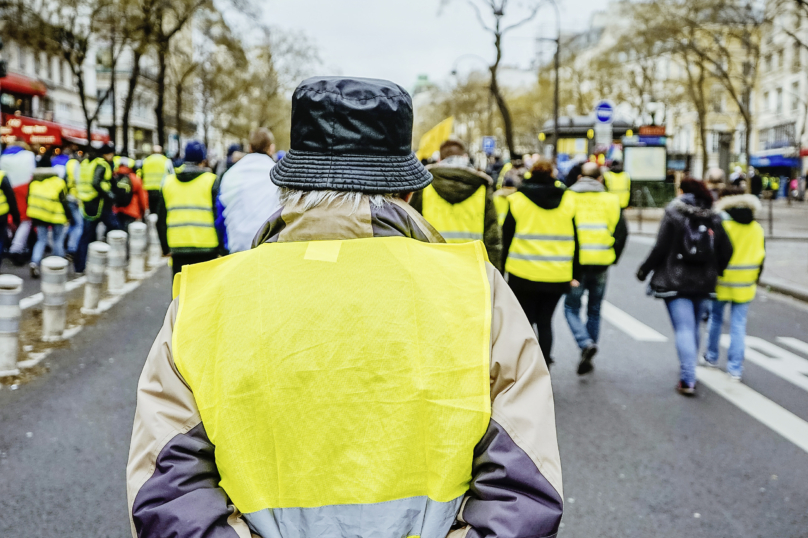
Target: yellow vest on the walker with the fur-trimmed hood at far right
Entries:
(739, 281)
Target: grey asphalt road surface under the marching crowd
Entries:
(639, 460)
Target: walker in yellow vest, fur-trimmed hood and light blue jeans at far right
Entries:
(738, 285)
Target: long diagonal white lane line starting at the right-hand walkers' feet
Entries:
(782, 421)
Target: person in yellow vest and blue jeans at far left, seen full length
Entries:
(48, 210)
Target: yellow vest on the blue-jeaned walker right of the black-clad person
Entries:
(596, 218)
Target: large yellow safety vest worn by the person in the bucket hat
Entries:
(328, 393)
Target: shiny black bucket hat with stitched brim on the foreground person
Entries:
(351, 134)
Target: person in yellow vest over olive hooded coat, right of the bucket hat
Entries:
(460, 202)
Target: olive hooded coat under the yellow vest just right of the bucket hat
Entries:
(456, 184)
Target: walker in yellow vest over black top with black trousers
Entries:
(538, 238)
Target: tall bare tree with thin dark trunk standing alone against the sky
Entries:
(498, 29)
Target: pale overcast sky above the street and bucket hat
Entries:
(400, 39)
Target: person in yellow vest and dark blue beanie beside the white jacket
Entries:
(186, 211)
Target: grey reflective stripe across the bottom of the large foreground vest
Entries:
(415, 516)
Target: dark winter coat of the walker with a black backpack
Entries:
(673, 277)
